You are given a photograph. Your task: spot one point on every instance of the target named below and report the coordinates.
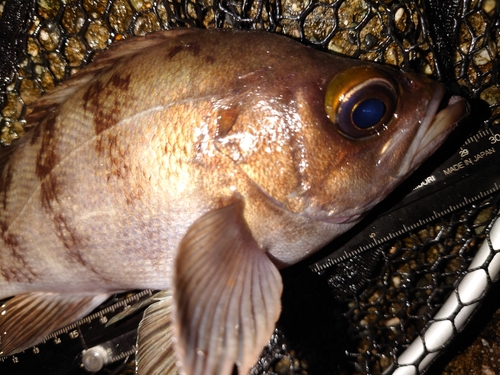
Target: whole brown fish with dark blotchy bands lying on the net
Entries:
(200, 163)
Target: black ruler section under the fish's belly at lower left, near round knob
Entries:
(83, 347)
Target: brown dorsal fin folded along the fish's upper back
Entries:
(102, 62)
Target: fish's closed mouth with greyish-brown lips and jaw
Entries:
(435, 127)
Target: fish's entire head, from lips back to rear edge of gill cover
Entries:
(334, 144)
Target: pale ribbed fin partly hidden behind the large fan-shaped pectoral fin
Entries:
(156, 353)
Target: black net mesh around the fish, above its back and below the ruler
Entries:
(362, 326)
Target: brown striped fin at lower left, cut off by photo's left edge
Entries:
(26, 319)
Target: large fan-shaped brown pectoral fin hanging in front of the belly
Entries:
(226, 297)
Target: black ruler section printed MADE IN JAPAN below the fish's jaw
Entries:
(467, 176)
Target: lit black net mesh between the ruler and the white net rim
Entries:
(416, 275)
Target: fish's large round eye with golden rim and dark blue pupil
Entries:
(361, 101)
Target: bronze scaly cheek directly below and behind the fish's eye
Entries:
(334, 165)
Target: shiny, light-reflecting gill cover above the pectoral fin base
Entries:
(266, 146)
